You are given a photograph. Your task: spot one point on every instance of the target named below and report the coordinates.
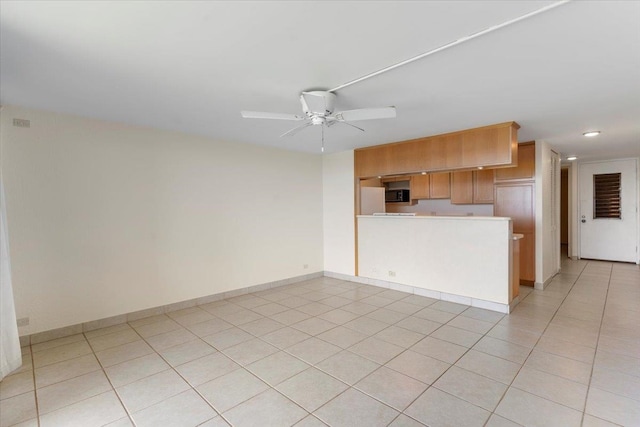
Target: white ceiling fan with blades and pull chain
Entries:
(318, 107)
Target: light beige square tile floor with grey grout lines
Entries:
(332, 352)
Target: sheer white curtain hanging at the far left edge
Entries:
(10, 354)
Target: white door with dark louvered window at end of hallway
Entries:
(612, 238)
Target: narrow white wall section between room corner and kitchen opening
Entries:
(338, 212)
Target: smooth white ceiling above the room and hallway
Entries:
(192, 66)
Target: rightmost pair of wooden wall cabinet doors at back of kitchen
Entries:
(472, 187)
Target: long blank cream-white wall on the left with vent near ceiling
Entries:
(106, 219)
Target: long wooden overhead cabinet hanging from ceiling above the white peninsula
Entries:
(489, 147)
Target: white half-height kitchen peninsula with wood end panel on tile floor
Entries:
(464, 259)
